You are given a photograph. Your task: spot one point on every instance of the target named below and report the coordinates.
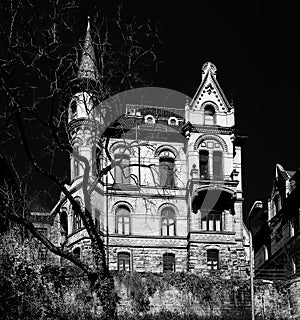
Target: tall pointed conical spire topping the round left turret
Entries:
(87, 68)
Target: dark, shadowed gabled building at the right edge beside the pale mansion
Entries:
(275, 227)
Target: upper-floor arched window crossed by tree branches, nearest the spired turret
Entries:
(122, 168)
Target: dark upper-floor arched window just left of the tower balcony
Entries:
(167, 169)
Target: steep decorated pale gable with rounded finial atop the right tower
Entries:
(210, 86)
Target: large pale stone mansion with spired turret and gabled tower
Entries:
(173, 198)
